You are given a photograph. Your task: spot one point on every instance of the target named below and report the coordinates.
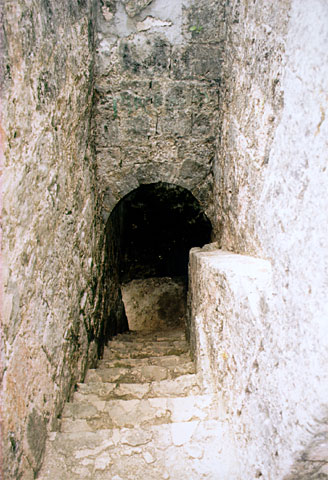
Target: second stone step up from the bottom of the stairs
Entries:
(95, 415)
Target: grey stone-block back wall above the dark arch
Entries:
(157, 83)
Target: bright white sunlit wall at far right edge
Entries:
(292, 226)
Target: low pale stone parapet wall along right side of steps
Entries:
(230, 328)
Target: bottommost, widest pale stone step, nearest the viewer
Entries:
(177, 451)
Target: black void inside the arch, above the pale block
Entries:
(159, 223)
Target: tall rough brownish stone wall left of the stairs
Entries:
(51, 251)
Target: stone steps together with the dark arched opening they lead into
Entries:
(143, 413)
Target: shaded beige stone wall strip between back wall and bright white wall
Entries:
(251, 101)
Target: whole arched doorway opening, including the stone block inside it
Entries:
(149, 235)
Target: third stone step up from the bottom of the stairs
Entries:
(177, 387)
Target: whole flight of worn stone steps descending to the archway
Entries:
(141, 415)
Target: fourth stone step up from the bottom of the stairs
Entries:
(144, 373)
